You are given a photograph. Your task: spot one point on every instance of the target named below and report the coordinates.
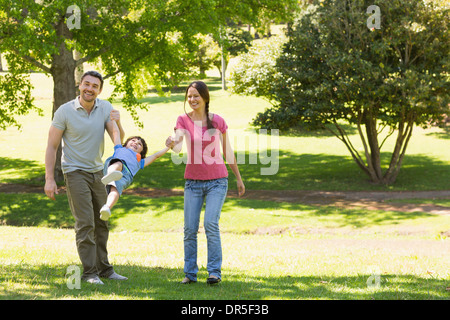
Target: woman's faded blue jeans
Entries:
(213, 193)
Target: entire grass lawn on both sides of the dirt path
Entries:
(272, 250)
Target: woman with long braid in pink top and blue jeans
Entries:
(206, 178)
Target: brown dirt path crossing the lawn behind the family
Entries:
(370, 200)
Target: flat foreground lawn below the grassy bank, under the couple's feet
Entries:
(34, 263)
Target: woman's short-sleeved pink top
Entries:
(205, 161)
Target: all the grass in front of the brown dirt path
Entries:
(271, 251)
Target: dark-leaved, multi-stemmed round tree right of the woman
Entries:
(338, 68)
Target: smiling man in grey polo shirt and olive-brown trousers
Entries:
(81, 124)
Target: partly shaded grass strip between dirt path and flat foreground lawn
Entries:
(37, 210)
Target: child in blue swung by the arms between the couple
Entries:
(122, 166)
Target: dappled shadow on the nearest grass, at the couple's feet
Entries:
(24, 281)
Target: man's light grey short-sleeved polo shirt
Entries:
(83, 137)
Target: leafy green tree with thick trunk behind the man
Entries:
(136, 44)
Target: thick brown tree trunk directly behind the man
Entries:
(63, 73)
